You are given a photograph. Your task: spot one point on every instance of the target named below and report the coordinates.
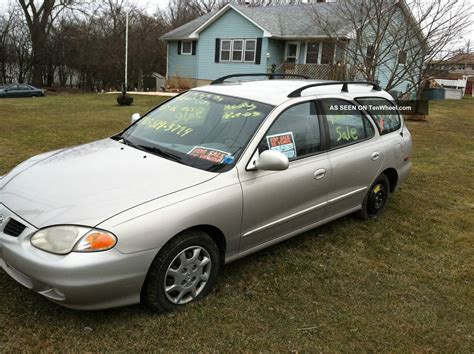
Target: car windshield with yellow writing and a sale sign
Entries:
(199, 129)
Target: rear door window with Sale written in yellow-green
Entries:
(346, 124)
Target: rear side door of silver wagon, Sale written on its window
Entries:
(356, 154)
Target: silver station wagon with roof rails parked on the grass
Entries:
(212, 175)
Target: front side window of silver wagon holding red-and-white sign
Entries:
(295, 132)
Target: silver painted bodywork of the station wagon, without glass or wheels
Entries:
(146, 200)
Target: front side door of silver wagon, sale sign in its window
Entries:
(278, 203)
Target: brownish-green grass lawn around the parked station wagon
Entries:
(403, 283)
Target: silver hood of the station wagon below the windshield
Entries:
(88, 184)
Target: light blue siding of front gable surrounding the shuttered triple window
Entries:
(229, 25)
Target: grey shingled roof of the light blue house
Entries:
(284, 21)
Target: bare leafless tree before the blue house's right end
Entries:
(393, 38)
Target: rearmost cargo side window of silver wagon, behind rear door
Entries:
(383, 112)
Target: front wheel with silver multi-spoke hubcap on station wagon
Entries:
(185, 270)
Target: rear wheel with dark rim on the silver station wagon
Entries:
(376, 199)
